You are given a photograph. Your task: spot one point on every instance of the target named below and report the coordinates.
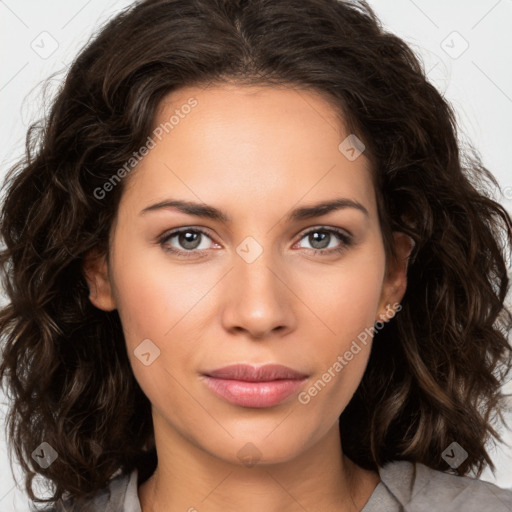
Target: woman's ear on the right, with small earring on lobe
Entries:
(395, 280)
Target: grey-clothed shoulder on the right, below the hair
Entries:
(424, 488)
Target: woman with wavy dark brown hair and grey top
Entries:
(249, 268)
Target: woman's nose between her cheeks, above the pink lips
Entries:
(258, 301)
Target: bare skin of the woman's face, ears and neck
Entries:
(256, 153)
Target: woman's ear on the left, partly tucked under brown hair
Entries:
(95, 270)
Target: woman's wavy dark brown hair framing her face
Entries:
(436, 369)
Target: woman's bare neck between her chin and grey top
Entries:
(320, 478)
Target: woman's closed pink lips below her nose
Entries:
(260, 387)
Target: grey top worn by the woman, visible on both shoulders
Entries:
(404, 487)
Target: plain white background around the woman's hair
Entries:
(465, 46)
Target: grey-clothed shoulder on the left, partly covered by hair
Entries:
(119, 496)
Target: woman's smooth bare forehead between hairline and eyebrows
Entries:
(271, 145)
